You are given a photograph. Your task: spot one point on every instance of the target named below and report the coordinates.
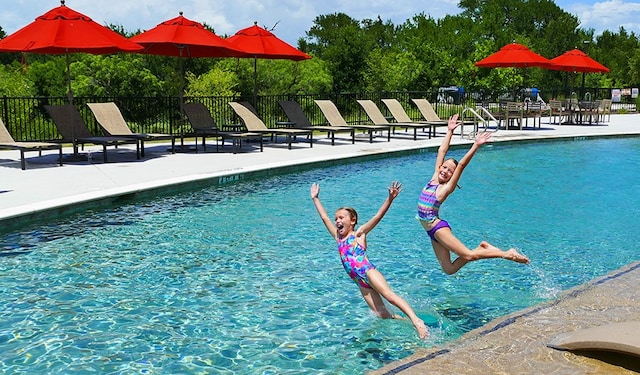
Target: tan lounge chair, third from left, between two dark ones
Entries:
(113, 123)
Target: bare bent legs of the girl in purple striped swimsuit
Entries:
(447, 241)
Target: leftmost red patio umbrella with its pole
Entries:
(62, 30)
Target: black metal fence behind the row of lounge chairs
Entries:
(27, 120)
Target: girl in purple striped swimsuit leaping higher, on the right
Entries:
(440, 186)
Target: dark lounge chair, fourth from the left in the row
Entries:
(204, 126)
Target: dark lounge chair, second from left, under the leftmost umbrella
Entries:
(73, 129)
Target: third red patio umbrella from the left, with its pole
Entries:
(258, 42)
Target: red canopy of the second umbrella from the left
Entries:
(183, 37)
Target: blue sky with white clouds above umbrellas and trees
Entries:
(290, 19)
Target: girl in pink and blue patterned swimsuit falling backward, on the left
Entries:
(352, 246)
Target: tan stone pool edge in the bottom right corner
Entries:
(584, 302)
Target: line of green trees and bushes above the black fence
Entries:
(351, 55)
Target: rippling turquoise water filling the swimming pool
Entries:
(244, 279)
